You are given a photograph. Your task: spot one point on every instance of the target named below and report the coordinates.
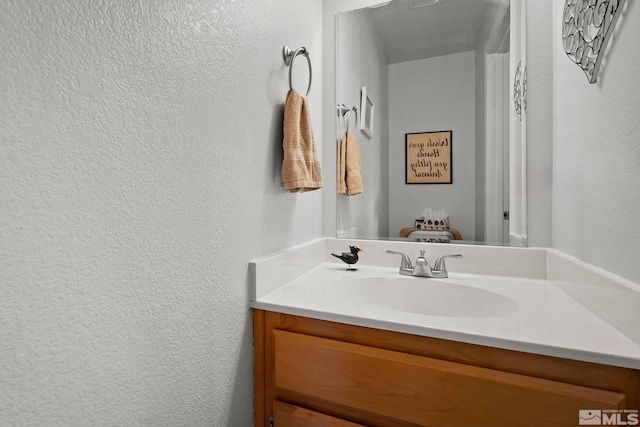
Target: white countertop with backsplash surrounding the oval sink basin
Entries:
(549, 318)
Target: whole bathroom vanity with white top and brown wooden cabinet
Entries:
(328, 355)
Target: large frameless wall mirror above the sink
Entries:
(430, 66)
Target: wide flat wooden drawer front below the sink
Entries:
(426, 391)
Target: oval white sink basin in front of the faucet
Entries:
(433, 297)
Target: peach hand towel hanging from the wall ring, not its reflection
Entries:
(300, 166)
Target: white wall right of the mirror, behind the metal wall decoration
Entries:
(596, 152)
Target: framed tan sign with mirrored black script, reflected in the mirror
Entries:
(428, 158)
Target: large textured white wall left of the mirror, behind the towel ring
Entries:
(139, 170)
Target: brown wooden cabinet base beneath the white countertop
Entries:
(310, 372)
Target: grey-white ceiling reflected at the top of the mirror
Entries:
(452, 26)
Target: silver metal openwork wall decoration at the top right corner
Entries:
(587, 27)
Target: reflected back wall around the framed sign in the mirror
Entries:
(421, 101)
